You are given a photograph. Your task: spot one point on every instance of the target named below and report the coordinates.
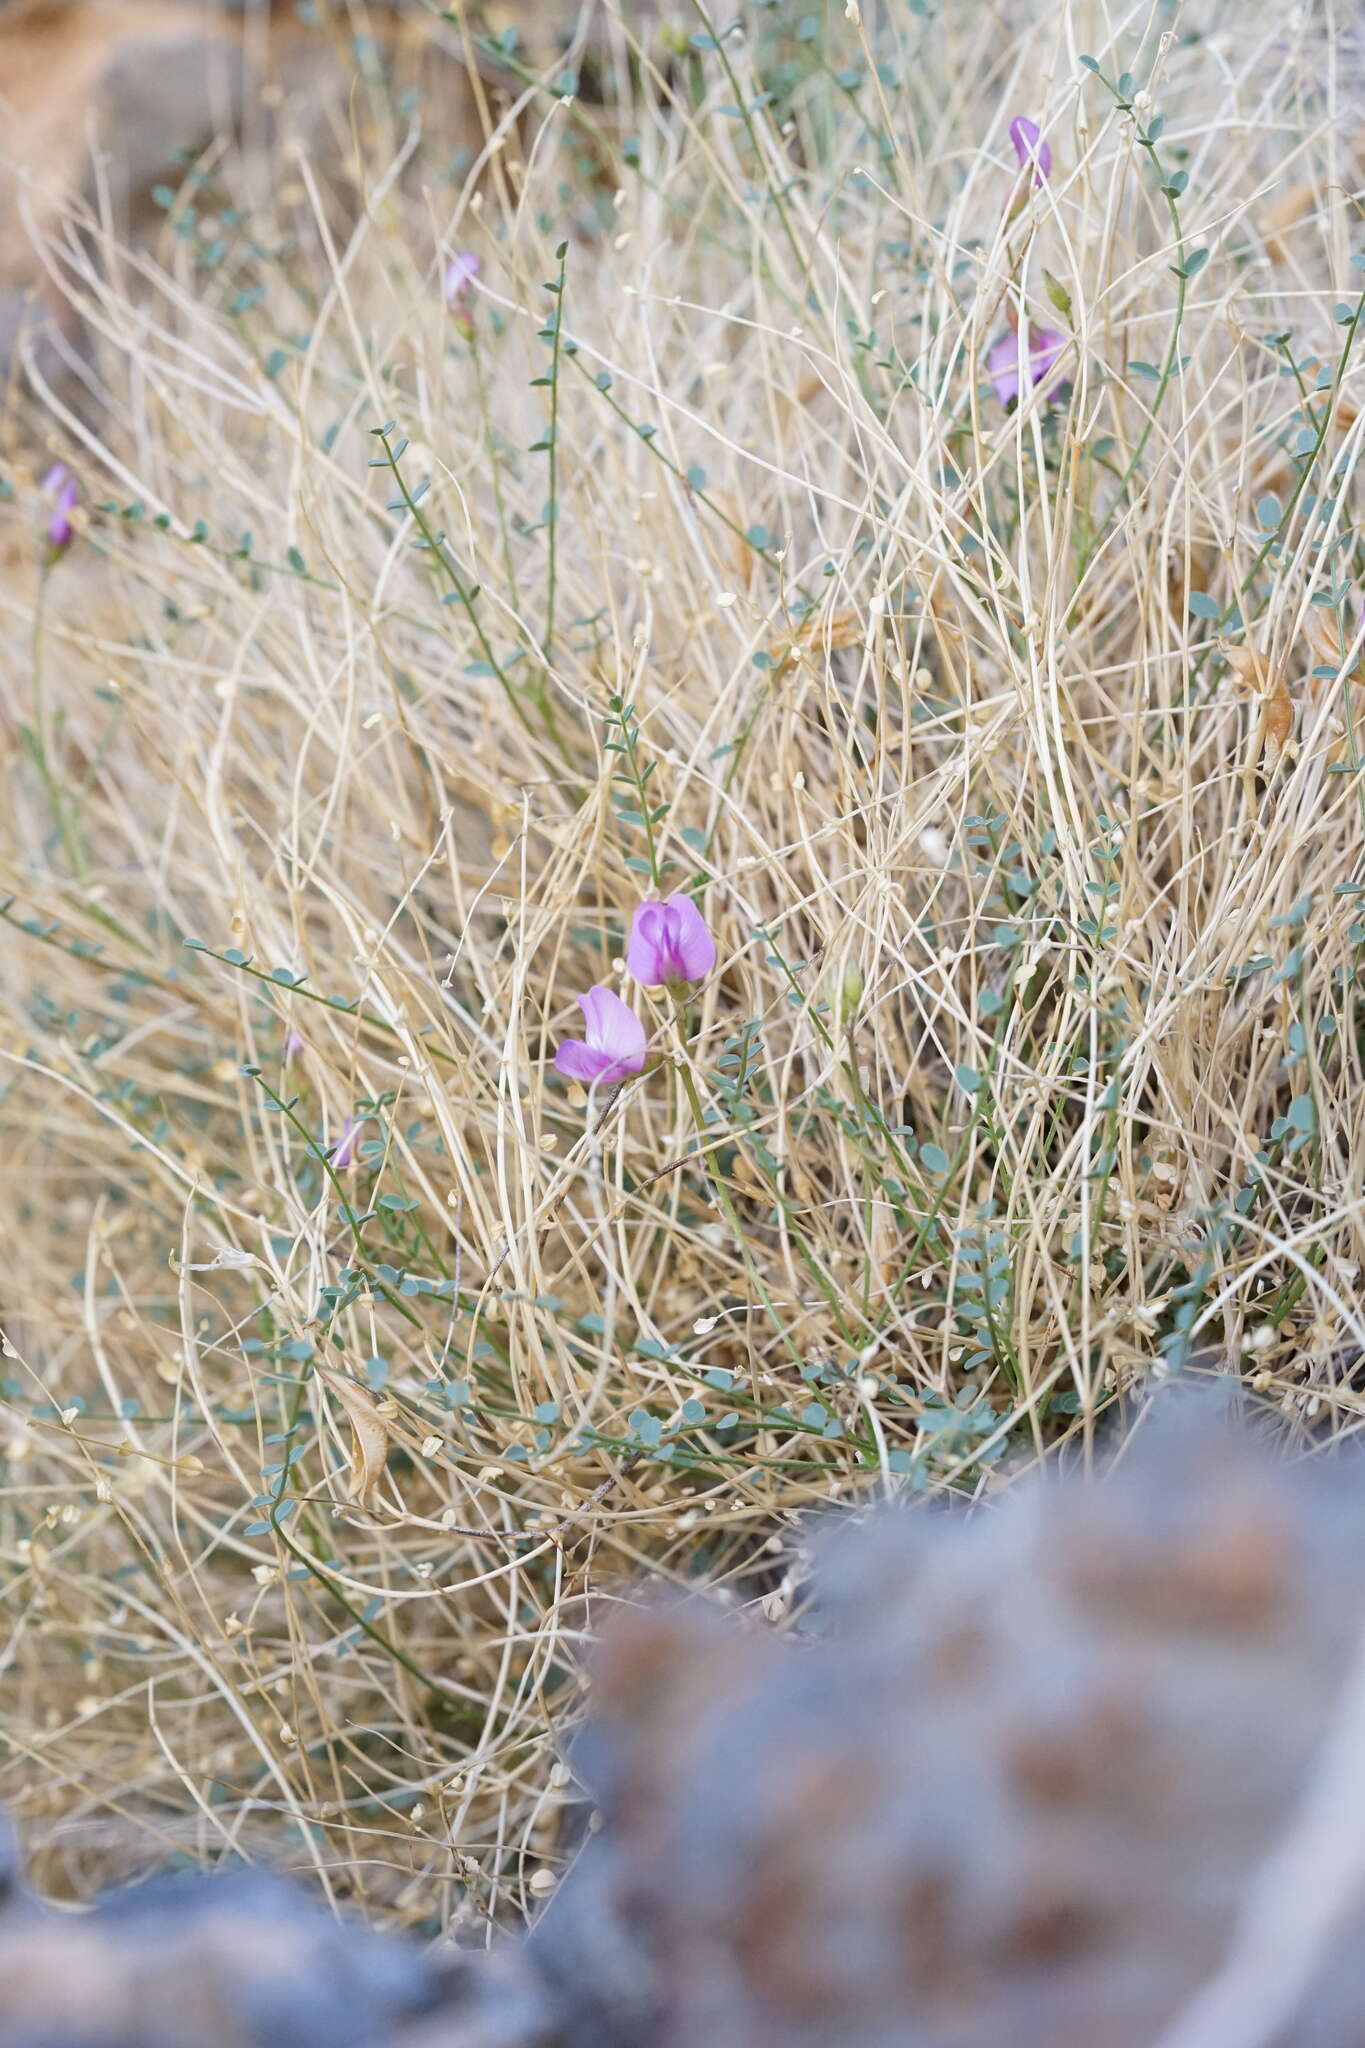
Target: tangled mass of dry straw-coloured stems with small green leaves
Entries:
(1037, 880)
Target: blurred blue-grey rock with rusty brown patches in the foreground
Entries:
(1067, 1773)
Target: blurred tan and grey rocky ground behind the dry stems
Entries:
(101, 101)
